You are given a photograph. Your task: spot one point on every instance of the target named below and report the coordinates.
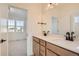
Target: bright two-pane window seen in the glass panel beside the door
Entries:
(15, 25)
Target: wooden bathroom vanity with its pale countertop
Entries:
(54, 45)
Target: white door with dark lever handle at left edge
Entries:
(3, 29)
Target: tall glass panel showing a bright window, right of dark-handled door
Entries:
(17, 43)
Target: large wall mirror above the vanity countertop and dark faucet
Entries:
(59, 19)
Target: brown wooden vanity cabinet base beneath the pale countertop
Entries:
(44, 48)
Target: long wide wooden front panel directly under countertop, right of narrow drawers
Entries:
(60, 51)
